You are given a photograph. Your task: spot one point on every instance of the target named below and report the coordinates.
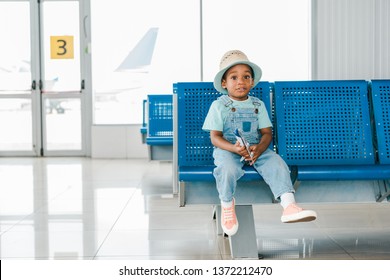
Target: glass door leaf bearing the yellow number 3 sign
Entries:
(61, 84)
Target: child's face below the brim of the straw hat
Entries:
(238, 81)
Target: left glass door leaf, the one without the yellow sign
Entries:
(16, 80)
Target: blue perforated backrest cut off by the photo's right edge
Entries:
(380, 94)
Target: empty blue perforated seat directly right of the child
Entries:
(324, 129)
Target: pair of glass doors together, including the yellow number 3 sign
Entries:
(42, 98)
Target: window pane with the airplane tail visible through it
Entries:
(140, 48)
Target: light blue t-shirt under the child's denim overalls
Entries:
(218, 113)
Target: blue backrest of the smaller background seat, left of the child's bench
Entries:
(160, 115)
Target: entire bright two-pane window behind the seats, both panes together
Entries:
(138, 50)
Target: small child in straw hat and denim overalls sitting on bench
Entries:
(237, 110)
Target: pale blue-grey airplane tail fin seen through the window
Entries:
(141, 55)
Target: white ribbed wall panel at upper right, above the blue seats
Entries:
(350, 39)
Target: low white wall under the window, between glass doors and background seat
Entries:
(117, 141)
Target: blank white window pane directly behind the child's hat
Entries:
(274, 34)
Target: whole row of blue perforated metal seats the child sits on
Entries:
(334, 135)
